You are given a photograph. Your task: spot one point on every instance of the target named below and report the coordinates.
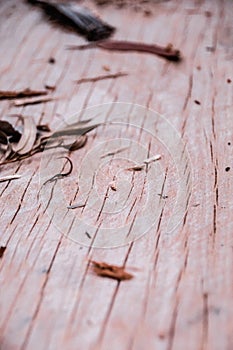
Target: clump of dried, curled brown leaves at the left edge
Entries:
(38, 138)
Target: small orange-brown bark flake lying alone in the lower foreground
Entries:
(111, 271)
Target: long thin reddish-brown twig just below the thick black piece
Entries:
(113, 45)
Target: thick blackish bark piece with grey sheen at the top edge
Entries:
(76, 18)
